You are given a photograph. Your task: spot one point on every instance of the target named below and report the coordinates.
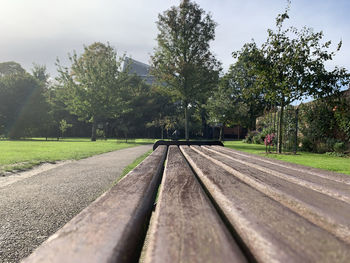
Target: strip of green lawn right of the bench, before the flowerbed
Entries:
(322, 161)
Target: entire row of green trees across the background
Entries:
(94, 96)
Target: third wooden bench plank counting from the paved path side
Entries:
(271, 231)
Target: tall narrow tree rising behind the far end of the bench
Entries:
(183, 61)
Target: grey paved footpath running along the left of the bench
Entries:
(34, 208)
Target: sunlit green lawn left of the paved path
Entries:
(24, 154)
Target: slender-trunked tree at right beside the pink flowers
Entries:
(294, 67)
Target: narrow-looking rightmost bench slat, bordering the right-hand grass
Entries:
(296, 168)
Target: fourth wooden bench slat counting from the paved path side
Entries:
(329, 213)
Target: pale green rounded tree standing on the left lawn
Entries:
(91, 85)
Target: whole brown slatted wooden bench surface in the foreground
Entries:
(213, 205)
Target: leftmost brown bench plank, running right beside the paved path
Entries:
(111, 229)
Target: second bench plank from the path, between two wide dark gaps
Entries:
(186, 227)
